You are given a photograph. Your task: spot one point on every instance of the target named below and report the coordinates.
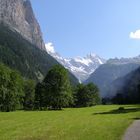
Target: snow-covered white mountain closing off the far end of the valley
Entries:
(81, 67)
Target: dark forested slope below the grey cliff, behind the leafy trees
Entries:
(19, 54)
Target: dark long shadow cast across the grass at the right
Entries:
(118, 111)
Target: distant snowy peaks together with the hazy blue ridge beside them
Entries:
(104, 73)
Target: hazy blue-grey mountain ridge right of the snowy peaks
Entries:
(112, 70)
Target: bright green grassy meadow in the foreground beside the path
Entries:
(95, 123)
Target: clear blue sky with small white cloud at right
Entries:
(80, 27)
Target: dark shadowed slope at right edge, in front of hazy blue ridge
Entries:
(128, 92)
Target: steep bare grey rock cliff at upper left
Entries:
(19, 16)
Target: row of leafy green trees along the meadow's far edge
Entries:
(54, 92)
